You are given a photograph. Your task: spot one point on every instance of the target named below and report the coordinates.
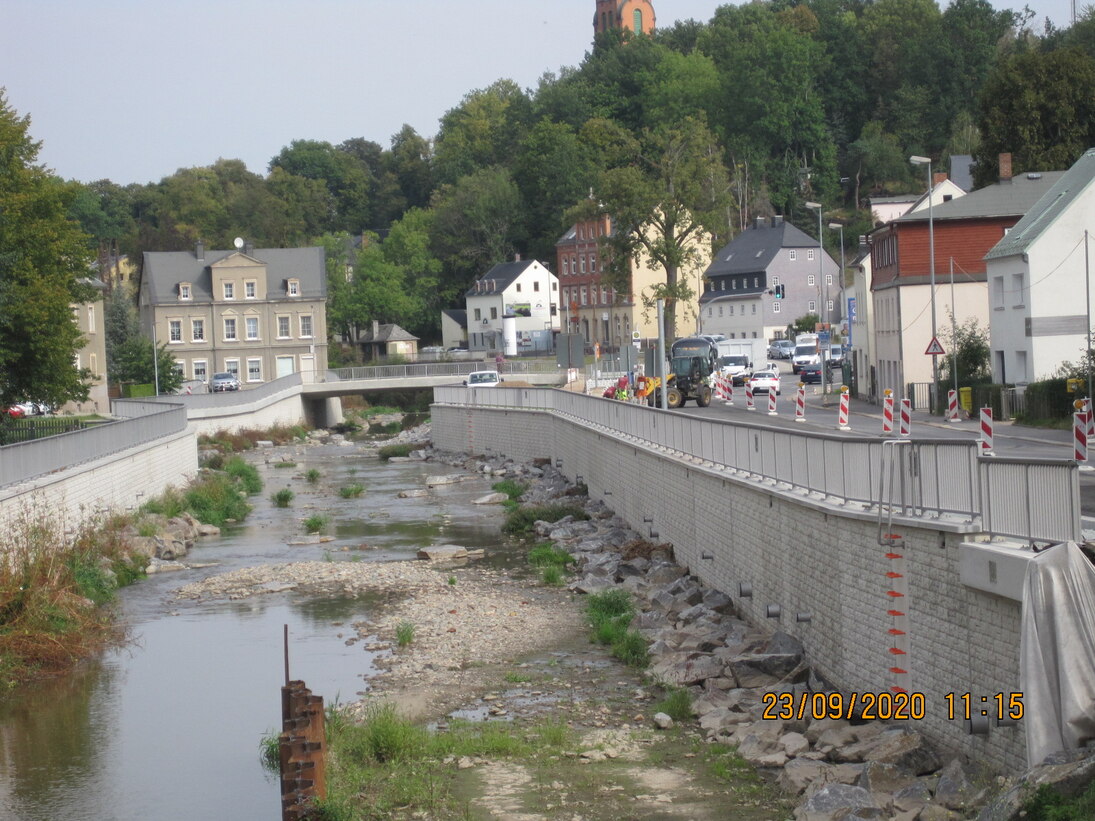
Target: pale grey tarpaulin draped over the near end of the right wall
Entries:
(1057, 652)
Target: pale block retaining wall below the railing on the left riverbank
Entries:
(119, 482)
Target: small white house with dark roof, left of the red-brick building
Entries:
(524, 291)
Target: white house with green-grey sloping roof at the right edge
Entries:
(1039, 276)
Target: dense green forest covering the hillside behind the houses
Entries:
(762, 109)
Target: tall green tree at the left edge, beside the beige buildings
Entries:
(44, 267)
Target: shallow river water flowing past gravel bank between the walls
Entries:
(169, 725)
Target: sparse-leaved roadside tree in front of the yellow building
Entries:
(667, 203)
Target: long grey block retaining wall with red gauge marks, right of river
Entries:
(800, 554)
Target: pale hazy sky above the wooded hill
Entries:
(134, 90)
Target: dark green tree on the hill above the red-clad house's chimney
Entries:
(1039, 108)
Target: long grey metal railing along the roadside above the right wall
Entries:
(941, 480)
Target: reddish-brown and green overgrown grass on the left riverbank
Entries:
(53, 591)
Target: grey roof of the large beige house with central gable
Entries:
(166, 270)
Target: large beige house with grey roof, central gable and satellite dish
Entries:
(258, 314)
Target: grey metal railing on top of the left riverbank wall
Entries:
(140, 422)
